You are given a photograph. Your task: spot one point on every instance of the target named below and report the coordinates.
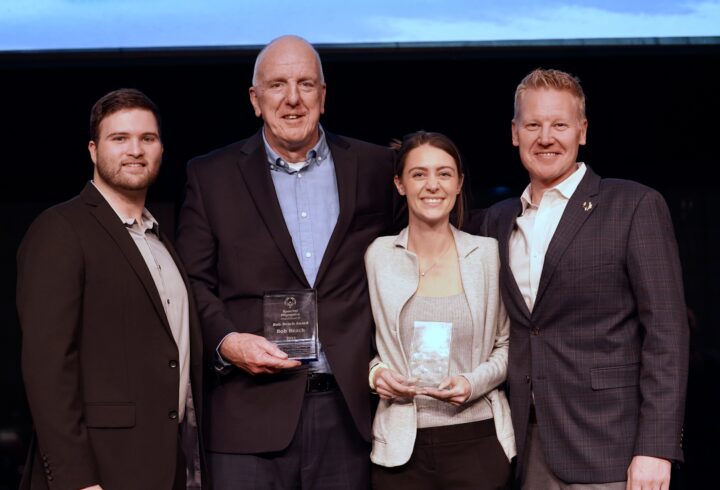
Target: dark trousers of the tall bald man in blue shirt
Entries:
(326, 453)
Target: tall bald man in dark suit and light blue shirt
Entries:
(292, 207)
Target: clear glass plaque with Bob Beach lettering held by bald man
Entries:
(290, 321)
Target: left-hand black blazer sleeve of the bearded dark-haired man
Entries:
(50, 284)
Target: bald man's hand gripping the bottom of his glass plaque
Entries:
(255, 354)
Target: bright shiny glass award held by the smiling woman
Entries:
(430, 358)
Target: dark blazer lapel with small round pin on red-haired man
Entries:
(579, 208)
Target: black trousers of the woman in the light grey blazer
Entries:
(462, 456)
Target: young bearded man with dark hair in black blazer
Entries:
(111, 341)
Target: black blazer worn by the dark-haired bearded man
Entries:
(98, 357)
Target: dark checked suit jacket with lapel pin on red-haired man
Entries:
(605, 349)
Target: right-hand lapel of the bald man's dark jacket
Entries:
(346, 175)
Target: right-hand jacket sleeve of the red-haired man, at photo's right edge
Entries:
(656, 281)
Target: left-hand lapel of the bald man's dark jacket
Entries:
(255, 172)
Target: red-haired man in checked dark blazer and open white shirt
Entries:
(591, 280)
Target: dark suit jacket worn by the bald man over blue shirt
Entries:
(236, 246)
